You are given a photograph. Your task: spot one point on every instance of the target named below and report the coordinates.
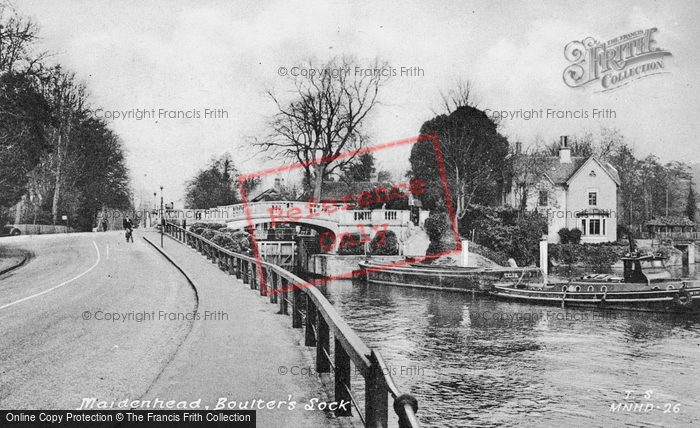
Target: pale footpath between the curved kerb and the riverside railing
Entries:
(242, 359)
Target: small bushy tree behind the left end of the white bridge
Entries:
(213, 186)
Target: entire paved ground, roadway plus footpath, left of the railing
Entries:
(51, 357)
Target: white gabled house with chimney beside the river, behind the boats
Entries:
(574, 193)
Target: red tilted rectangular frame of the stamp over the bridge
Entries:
(349, 275)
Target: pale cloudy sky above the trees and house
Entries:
(190, 56)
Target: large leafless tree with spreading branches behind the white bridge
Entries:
(325, 117)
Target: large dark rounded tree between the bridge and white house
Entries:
(475, 157)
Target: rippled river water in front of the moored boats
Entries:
(473, 361)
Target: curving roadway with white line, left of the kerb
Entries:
(57, 345)
